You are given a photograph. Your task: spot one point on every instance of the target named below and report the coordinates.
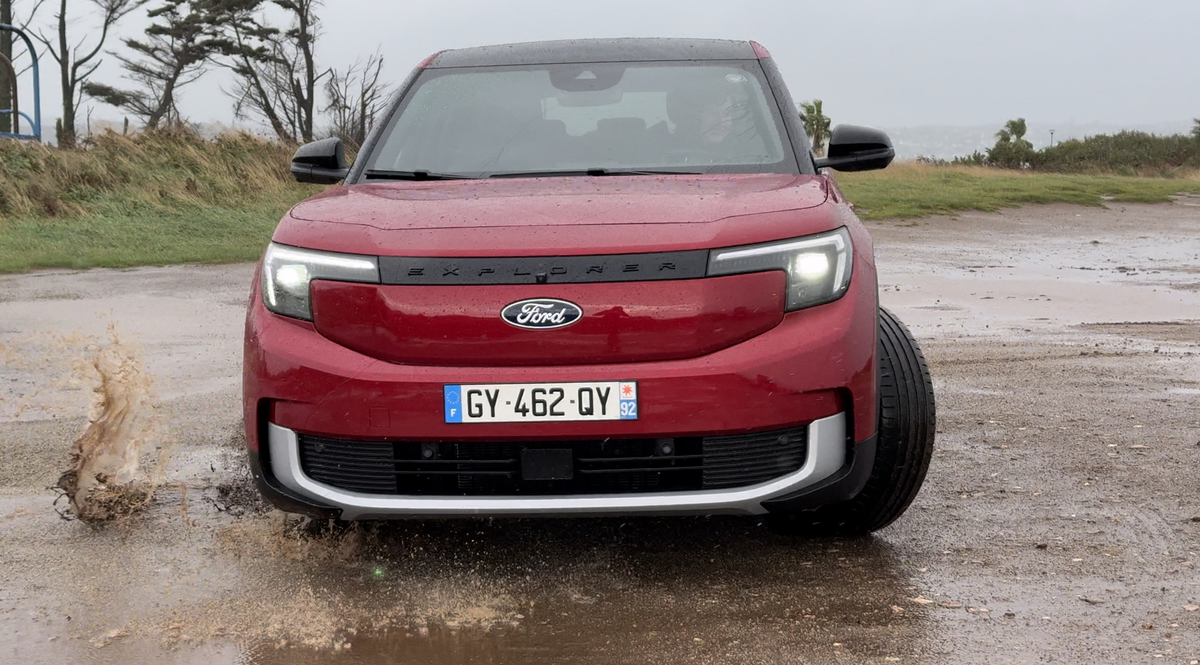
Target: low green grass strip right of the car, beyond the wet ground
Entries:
(909, 190)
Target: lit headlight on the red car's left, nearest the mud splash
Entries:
(287, 273)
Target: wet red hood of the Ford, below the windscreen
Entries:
(559, 215)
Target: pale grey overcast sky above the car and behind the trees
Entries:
(872, 62)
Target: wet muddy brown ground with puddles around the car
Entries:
(1060, 522)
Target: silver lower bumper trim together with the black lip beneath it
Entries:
(831, 471)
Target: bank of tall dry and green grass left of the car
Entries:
(151, 199)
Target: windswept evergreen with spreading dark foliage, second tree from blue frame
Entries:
(177, 49)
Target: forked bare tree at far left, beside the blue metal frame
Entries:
(79, 63)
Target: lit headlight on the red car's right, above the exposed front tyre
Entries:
(818, 266)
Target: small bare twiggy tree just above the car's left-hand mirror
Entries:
(356, 98)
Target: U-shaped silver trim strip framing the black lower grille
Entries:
(826, 456)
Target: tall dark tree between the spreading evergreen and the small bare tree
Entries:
(277, 70)
